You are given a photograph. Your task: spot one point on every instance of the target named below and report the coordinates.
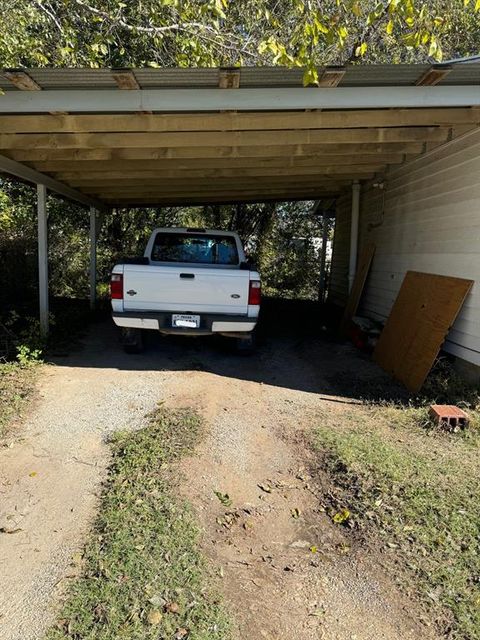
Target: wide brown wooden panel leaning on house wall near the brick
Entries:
(424, 311)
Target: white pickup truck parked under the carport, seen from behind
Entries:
(190, 281)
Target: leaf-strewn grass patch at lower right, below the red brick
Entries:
(413, 493)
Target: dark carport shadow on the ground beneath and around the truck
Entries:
(298, 349)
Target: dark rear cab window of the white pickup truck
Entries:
(201, 249)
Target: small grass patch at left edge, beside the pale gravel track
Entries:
(16, 387)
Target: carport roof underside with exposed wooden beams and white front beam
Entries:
(179, 136)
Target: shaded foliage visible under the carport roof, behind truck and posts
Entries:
(282, 239)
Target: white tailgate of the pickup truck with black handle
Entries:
(185, 289)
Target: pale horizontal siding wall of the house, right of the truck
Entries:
(426, 219)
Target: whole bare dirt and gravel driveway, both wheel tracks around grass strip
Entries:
(257, 412)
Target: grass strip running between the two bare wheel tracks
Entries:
(144, 576)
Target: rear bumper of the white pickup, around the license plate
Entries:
(162, 321)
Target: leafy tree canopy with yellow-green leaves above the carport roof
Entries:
(190, 33)
